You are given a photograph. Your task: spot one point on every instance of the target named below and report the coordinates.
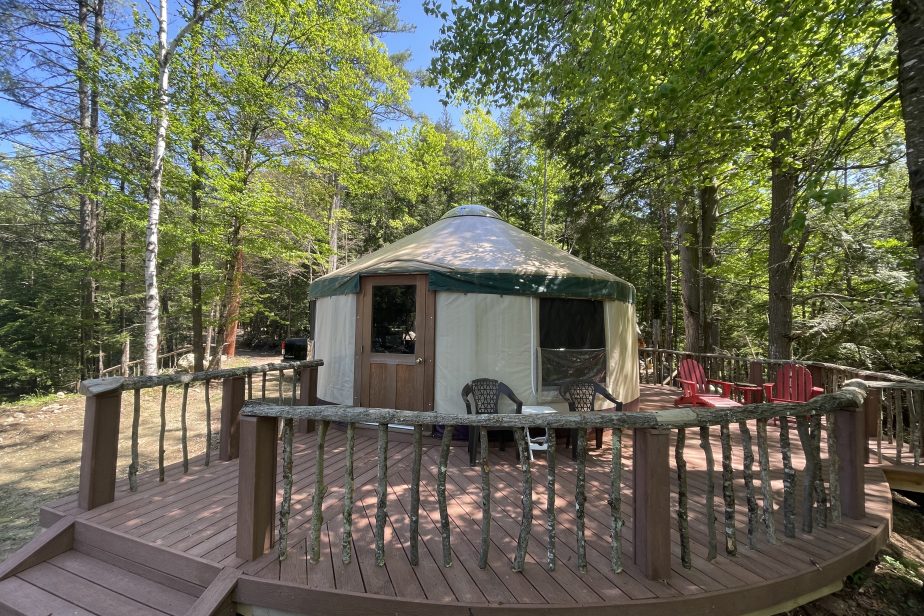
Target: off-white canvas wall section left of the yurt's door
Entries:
(334, 342)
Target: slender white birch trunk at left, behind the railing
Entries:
(152, 300)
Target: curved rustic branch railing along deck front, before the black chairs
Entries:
(651, 432)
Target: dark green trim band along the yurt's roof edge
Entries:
(496, 283)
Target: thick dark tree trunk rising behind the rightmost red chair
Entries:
(783, 181)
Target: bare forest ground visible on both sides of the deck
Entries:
(40, 441)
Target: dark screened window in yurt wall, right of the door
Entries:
(572, 340)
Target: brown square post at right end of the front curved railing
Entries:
(851, 450)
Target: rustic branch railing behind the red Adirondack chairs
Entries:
(893, 405)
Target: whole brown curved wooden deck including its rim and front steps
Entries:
(191, 519)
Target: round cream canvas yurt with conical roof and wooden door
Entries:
(471, 296)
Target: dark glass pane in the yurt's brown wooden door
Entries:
(394, 316)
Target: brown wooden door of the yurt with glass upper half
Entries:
(395, 343)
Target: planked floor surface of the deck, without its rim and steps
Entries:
(196, 514)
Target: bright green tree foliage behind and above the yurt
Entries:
(612, 118)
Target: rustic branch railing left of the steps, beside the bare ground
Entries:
(296, 383)
